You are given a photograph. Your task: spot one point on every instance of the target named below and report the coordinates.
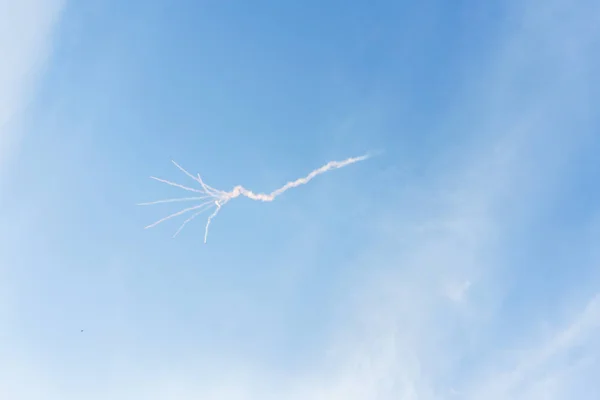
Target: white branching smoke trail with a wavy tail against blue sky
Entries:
(217, 198)
